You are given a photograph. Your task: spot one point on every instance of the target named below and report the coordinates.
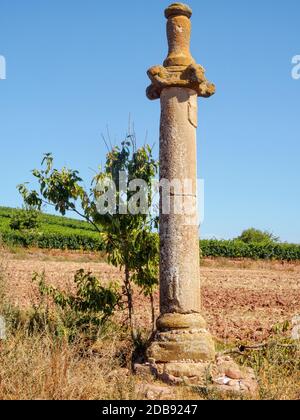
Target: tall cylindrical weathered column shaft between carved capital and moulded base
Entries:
(180, 276)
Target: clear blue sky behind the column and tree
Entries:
(75, 67)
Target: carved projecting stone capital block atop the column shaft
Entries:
(192, 77)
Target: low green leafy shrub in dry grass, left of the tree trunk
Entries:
(72, 315)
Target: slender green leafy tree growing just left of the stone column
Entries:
(129, 239)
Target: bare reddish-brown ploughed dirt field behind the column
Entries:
(242, 300)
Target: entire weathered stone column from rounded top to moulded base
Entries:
(181, 330)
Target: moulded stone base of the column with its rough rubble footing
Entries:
(183, 353)
